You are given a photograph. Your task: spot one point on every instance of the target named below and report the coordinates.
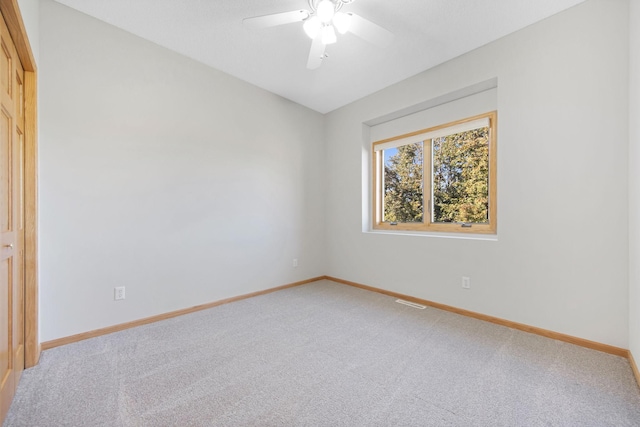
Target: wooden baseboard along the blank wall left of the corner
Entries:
(122, 326)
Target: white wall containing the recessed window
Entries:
(560, 261)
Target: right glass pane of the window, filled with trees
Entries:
(461, 177)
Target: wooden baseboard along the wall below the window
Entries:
(519, 326)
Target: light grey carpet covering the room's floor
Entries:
(325, 354)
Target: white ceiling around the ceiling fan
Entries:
(427, 33)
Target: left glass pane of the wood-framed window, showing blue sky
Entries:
(403, 199)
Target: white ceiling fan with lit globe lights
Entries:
(321, 22)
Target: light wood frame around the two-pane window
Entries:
(427, 225)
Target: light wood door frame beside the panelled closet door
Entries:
(13, 18)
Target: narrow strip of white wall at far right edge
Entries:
(634, 179)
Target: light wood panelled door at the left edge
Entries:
(11, 220)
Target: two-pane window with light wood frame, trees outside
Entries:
(438, 179)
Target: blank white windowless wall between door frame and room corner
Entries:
(165, 176)
